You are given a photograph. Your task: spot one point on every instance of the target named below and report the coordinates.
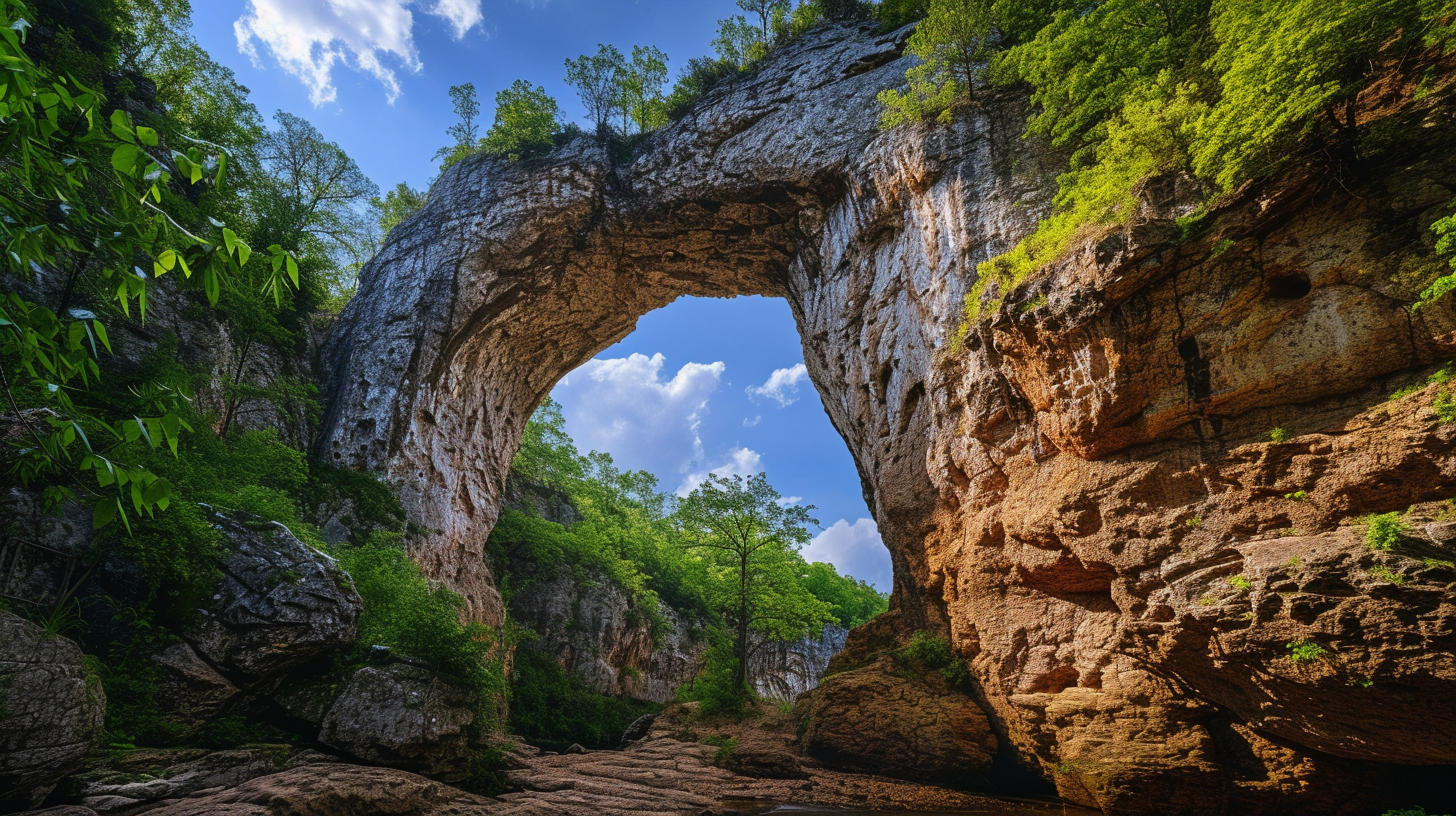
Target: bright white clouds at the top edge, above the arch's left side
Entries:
(311, 37)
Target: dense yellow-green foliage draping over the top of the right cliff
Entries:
(1219, 91)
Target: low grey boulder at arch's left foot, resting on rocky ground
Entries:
(404, 718)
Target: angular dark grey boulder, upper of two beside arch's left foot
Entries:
(280, 605)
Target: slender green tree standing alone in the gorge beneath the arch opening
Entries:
(748, 541)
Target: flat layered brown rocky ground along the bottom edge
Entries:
(745, 769)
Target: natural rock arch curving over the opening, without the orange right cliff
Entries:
(518, 273)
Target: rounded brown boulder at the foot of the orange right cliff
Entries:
(886, 721)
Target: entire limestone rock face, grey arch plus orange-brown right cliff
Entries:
(1069, 490)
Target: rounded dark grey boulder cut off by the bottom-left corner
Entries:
(52, 710)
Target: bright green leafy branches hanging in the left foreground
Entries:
(85, 203)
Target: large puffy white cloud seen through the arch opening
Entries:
(627, 407)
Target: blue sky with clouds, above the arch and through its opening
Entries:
(703, 385)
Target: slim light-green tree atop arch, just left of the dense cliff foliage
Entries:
(951, 44)
